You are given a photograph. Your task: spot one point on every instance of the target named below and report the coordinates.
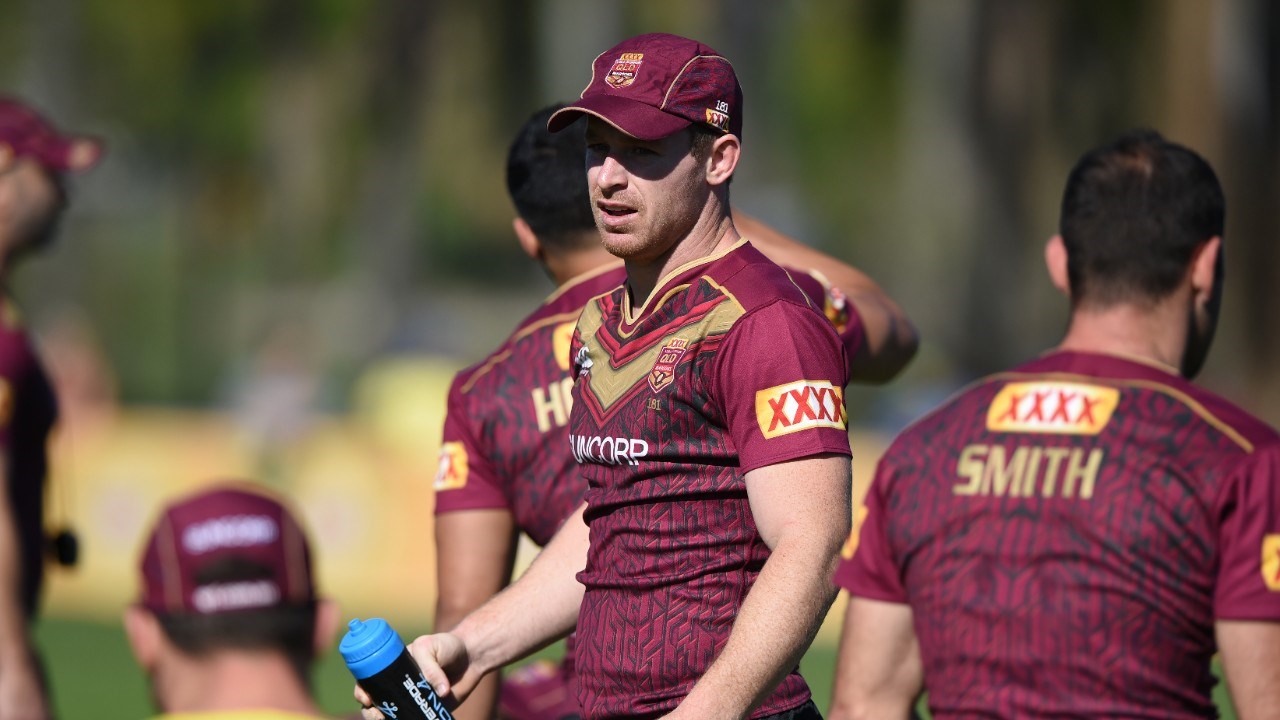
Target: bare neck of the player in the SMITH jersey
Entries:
(1156, 335)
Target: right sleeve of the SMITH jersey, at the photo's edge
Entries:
(1249, 582)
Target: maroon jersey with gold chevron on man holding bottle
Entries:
(726, 370)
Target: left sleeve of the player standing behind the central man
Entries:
(465, 479)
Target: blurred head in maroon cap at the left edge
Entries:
(35, 160)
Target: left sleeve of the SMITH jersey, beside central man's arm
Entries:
(867, 567)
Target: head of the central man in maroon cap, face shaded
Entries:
(664, 138)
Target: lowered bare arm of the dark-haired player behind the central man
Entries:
(476, 553)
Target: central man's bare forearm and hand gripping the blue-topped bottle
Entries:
(536, 610)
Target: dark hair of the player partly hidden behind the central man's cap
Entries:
(547, 183)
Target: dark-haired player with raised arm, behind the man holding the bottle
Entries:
(506, 464)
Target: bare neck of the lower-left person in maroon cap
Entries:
(234, 681)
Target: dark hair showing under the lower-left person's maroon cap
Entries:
(289, 630)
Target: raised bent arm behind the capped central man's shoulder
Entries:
(892, 339)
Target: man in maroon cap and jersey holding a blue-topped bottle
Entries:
(707, 417)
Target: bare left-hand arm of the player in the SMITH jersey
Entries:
(879, 671)
